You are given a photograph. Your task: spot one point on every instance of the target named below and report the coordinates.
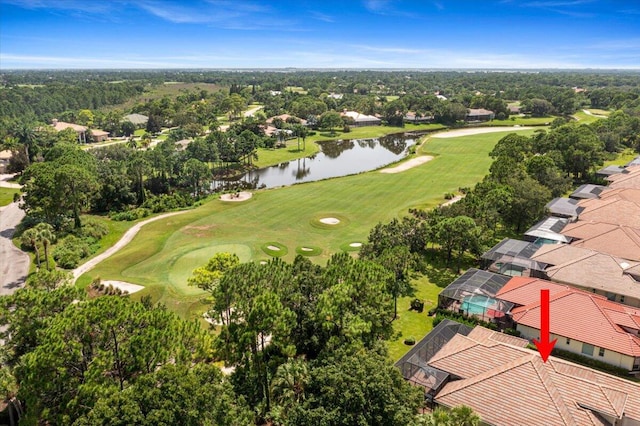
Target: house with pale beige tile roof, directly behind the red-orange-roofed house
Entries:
(615, 278)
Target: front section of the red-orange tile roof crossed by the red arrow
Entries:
(584, 317)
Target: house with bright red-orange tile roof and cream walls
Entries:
(583, 323)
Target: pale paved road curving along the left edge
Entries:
(14, 263)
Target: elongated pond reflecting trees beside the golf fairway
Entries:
(336, 158)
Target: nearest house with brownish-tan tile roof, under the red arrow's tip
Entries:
(507, 384)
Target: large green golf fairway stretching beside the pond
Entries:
(161, 255)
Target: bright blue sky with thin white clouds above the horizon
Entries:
(320, 34)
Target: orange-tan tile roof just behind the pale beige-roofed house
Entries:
(621, 241)
